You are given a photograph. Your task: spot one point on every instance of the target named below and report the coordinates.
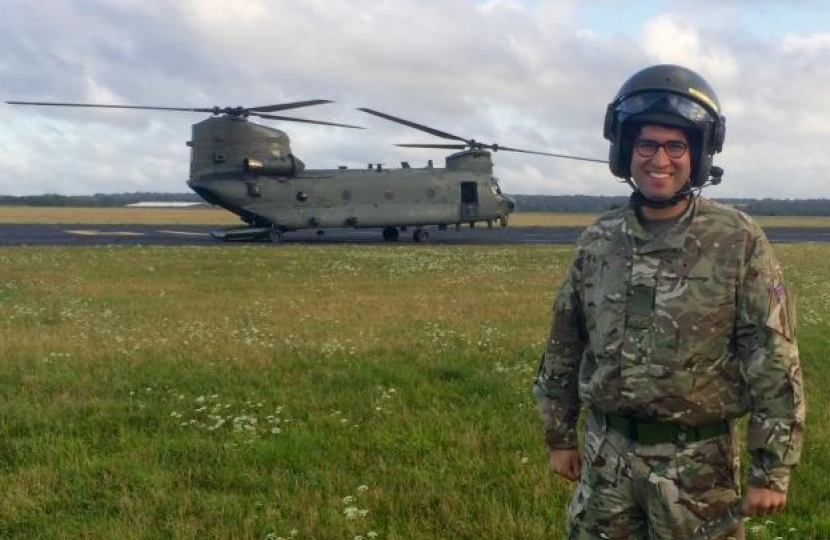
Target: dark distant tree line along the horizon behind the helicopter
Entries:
(566, 204)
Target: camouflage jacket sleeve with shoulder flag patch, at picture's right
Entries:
(766, 338)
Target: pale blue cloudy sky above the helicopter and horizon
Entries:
(533, 74)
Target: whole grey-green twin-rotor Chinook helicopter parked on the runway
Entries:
(250, 170)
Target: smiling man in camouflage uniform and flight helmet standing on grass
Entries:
(672, 322)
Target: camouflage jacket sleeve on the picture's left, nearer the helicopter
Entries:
(556, 385)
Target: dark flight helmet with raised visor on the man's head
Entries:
(667, 95)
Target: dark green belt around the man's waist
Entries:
(650, 432)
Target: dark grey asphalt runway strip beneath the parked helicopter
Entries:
(180, 235)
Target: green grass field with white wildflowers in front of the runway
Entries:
(314, 392)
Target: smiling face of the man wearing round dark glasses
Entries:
(660, 176)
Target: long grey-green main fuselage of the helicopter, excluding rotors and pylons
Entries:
(374, 197)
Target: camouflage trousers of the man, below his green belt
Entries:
(632, 491)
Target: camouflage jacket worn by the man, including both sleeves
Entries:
(691, 327)
